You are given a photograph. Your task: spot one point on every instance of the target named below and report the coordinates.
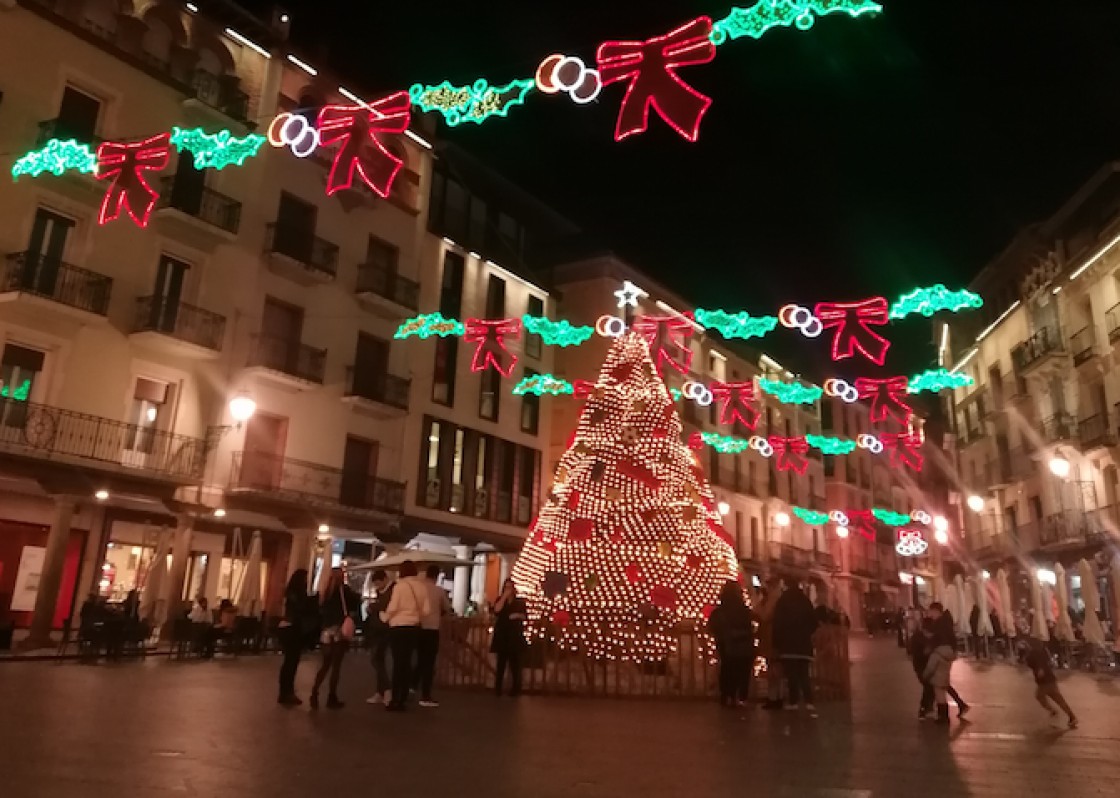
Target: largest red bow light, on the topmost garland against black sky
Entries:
(651, 69)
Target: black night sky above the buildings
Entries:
(863, 157)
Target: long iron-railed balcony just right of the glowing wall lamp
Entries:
(294, 480)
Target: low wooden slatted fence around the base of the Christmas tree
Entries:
(688, 673)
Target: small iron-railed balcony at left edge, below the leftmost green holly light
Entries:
(53, 286)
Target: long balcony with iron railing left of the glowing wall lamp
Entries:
(46, 433)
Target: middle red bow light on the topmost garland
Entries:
(358, 128)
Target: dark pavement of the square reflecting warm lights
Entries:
(212, 730)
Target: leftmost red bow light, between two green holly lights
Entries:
(125, 165)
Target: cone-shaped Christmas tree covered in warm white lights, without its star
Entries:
(629, 543)
